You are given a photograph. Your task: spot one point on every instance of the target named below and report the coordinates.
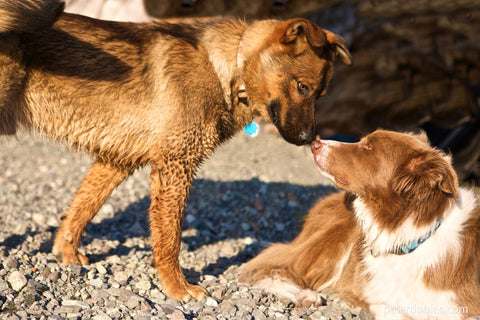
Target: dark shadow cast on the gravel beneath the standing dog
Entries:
(216, 211)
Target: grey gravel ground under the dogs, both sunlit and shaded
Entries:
(252, 192)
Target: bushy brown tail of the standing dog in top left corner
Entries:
(28, 15)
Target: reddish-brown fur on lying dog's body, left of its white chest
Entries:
(312, 258)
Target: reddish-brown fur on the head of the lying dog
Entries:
(400, 173)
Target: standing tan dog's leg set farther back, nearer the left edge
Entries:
(96, 187)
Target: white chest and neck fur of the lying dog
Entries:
(396, 286)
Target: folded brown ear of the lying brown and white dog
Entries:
(424, 173)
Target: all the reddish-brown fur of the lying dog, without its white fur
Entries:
(397, 176)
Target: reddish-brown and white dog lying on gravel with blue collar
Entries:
(402, 239)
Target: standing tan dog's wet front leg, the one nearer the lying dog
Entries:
(170, 186)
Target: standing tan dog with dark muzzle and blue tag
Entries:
(154, 93)
